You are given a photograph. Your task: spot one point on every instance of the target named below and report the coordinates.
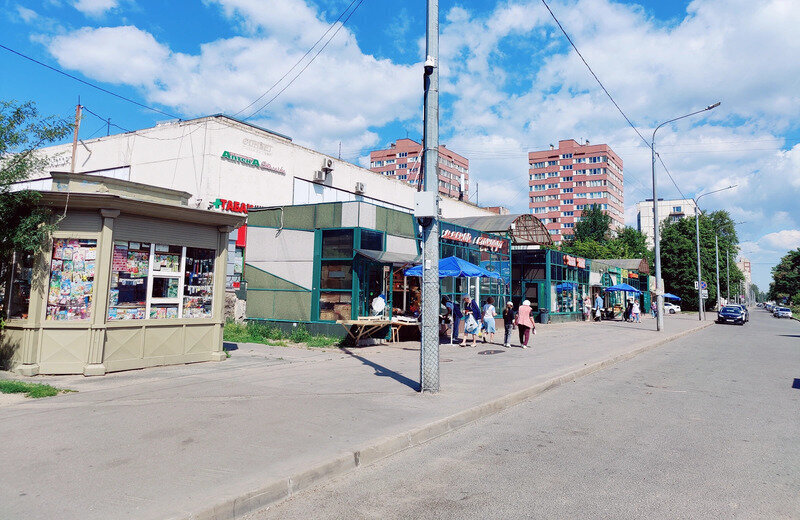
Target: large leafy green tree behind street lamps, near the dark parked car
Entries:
(679, 256)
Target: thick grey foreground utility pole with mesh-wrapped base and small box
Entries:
(429, 352)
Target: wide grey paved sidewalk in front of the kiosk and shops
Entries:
(175, 442)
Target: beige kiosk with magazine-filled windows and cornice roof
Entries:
(132, 277)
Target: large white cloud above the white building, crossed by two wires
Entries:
(342, 95)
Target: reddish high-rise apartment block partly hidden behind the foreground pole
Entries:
(403, 160)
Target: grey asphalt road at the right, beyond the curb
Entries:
(704, 427)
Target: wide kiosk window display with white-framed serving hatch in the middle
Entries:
(160, 281)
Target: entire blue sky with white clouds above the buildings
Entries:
(510, 84)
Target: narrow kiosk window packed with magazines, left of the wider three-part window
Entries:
(71, 279)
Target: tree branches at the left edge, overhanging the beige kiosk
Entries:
(22, 131)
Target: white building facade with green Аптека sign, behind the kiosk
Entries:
(230, 165)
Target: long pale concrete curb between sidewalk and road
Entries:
(232, 507)
